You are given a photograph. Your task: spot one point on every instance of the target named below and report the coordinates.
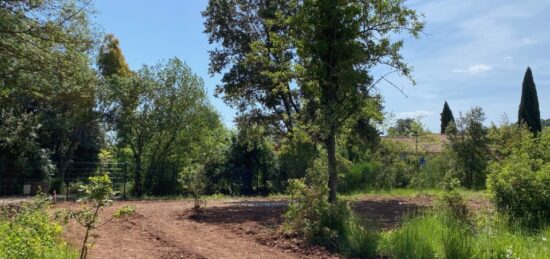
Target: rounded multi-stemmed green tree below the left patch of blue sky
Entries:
(164, 123)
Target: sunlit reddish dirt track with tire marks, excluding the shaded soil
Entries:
(159, 231)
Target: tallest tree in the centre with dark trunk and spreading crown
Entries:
(306, 63)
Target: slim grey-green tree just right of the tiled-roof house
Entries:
(469, 149)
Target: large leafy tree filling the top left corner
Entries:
(45, 70)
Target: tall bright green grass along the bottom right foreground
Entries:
(436, 235)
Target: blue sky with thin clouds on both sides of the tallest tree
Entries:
(473, 53)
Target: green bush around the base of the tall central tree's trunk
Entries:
(331, 225)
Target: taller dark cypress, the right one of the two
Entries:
(529, 112)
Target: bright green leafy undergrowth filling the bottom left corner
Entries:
(26, 231)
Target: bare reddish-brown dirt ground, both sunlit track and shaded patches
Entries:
(228, 228)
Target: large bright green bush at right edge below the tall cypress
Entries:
(520, 182)
